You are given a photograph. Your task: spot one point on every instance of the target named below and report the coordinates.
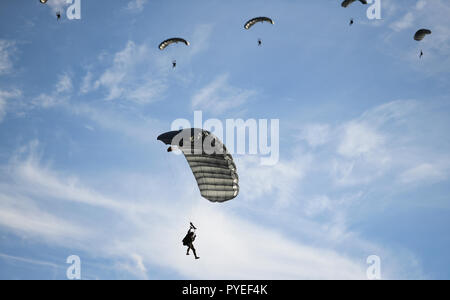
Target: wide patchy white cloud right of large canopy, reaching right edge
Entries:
(377, 145)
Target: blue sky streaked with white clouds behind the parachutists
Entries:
(364, 150)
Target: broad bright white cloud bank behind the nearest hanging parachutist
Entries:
(149, 231)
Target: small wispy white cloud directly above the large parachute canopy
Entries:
(219, 96)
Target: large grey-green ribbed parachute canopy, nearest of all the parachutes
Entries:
(213, 167)
